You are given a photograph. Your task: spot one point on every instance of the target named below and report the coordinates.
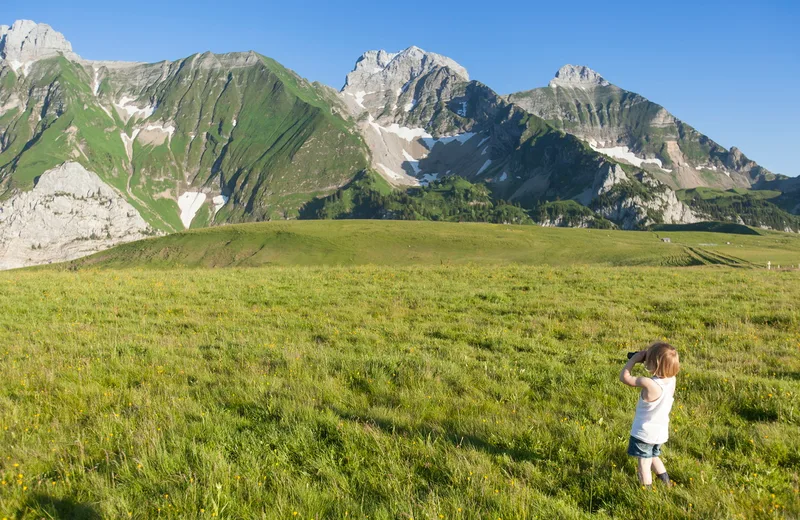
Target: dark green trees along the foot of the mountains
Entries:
(455, 199)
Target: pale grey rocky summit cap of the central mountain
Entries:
(378, 71)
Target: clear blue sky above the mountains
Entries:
(729, 68)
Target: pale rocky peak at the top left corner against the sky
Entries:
(27, 41)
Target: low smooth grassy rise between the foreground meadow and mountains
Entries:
(399, 243)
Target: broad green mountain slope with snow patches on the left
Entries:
(237, 125)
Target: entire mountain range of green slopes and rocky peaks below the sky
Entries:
(94, 153)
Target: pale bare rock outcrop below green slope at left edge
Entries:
(70, 213)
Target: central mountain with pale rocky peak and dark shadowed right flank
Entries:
(423, 119)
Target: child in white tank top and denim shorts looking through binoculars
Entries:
(650, 428)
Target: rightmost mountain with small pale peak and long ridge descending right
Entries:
(618, 122)
